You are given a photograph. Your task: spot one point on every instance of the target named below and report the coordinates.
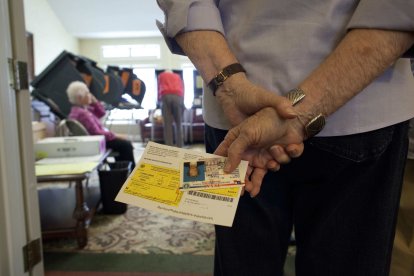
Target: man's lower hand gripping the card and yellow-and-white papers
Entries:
(265, 140)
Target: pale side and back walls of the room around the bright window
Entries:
(51, 38)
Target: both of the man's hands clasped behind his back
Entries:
(266, 132)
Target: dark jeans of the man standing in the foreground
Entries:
(342, 198)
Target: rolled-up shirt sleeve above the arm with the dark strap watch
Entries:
(188, 15)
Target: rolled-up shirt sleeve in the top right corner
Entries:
(385, 14)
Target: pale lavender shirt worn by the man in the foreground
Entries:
(281, 42)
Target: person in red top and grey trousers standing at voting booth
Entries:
(171, 96)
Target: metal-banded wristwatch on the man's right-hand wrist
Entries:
(317, 123)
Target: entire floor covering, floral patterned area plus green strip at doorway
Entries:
(138, 243)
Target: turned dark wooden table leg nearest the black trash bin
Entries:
(81, 214)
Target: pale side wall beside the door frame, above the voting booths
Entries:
(49, 36)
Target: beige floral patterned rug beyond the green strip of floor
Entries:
(144, 232)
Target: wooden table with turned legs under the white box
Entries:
(61, 199)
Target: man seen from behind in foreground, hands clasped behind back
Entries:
(337, 63)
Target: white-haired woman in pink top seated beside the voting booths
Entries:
(88, 110)
